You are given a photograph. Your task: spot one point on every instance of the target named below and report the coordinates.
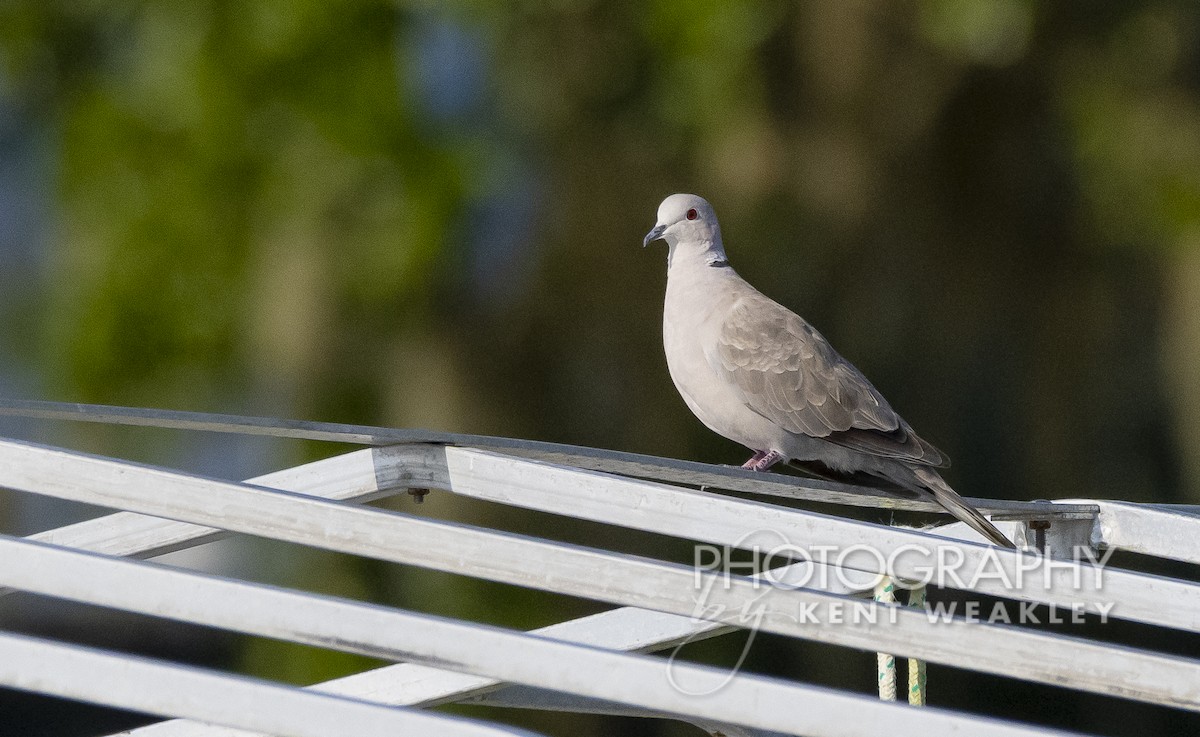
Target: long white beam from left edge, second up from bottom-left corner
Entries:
(320, 621)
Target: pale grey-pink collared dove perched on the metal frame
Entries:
(758, 374)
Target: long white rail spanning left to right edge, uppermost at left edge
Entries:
(601, 576)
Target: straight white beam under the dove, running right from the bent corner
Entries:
(723, 520)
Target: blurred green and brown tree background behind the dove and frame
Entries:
(431, 215)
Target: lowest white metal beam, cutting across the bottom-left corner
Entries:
(153, 687)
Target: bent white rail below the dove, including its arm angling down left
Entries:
(709, 518)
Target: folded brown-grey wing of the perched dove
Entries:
(787, 372)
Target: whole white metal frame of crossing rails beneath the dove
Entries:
(590, 664)
